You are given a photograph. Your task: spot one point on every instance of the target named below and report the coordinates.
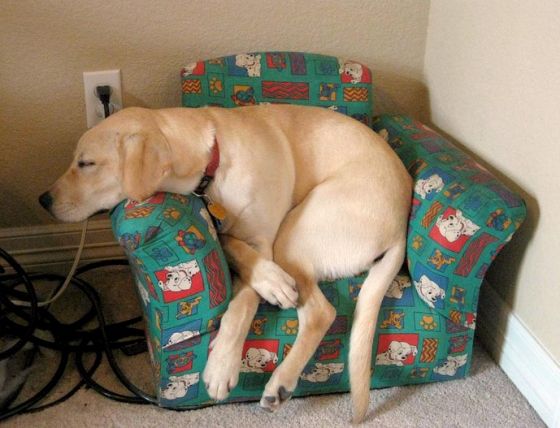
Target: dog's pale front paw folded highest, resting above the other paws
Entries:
(274, 285)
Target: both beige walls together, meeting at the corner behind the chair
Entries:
(492, 70)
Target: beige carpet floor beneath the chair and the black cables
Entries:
(485, 399)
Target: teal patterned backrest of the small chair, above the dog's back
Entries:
(280, 77)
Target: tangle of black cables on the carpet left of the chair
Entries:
(23, 323)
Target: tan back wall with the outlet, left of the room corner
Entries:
(46, 45)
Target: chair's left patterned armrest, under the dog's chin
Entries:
(183, 283)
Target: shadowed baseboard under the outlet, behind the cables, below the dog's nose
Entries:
(52, 247)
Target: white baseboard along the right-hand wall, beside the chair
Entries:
(520, 355)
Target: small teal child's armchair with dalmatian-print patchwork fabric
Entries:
(462, 217)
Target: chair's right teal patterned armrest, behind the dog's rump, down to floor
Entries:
(462, 216)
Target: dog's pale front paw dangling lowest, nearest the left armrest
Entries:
(221, 373)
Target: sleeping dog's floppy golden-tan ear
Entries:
(144, 164)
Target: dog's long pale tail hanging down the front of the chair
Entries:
(363, 327)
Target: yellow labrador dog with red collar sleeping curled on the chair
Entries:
(310, 194)
